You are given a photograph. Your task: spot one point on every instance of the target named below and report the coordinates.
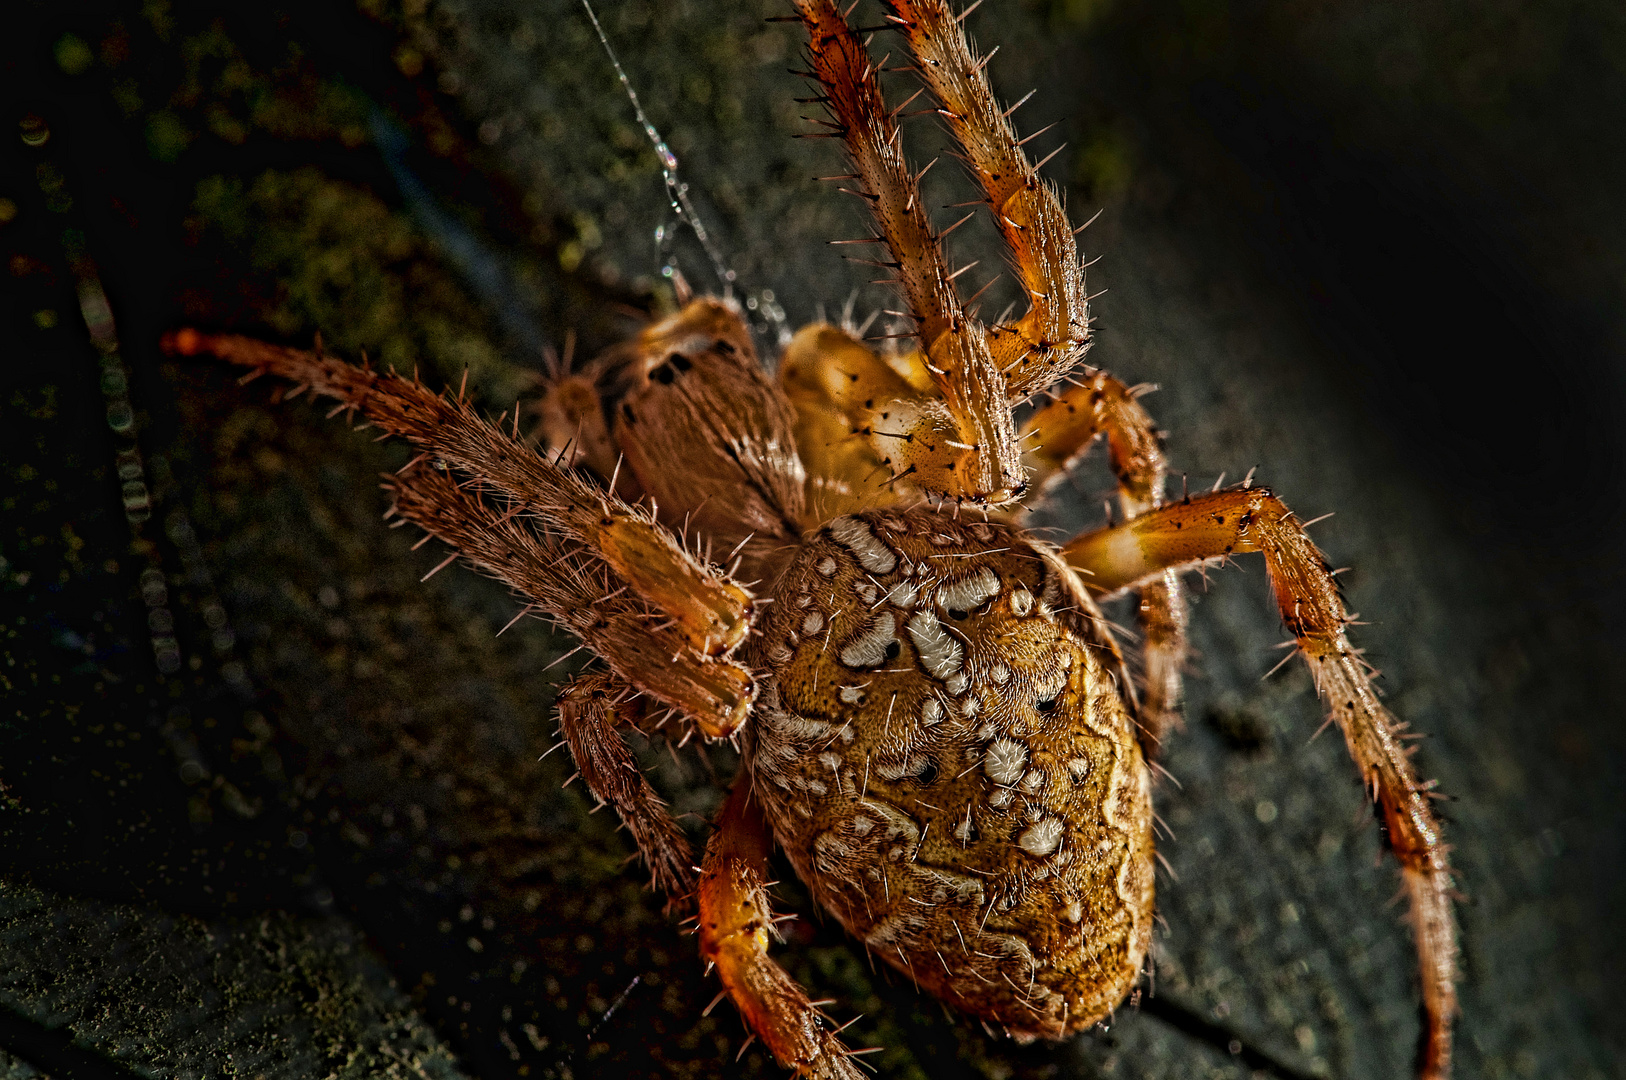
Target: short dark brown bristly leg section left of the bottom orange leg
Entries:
(589, 720)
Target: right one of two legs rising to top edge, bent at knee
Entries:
(1053, 337)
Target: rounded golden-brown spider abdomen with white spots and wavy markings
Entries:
(942, 751)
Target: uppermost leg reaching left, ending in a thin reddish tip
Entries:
(711, 611)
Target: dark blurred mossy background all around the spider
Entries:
(274, 808)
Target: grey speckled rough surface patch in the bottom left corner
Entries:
(175, 996)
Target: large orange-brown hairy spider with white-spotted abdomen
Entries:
(937, 726)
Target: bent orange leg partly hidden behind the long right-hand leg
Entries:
(1054, 438)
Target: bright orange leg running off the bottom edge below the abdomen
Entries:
(736, 925)
